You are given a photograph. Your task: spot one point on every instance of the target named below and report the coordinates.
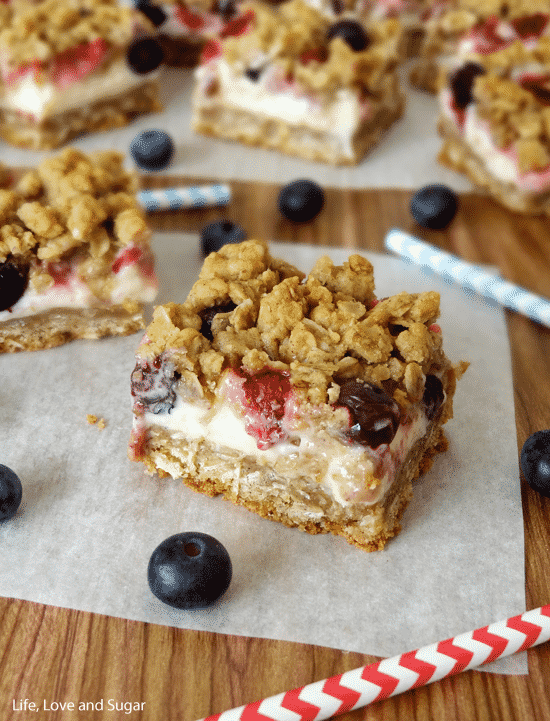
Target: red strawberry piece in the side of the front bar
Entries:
(264, 398)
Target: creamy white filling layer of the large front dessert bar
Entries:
(343, 469)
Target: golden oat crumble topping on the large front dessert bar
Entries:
(323, 330)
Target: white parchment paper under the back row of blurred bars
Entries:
(405, 157)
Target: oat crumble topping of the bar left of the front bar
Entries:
(71, 203)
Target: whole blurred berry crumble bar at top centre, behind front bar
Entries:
(289, 79)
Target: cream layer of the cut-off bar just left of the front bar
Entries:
(128, 283)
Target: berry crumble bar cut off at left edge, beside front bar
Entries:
(75, 260)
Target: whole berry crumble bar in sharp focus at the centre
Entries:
(306, 400)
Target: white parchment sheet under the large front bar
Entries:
(90, 518)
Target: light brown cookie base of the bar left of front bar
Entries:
(61, 325)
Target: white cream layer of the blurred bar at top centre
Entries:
(340, 118)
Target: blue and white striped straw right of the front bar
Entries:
(470, 276)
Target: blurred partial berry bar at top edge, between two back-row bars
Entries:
(185, 26)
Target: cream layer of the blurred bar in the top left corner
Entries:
(44, 100)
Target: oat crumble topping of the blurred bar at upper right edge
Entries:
(514, 98)
